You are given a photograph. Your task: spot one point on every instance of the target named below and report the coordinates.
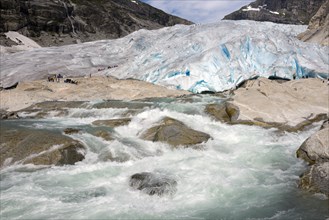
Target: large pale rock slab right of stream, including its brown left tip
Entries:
(288, 106)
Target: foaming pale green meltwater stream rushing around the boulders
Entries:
(243, 172)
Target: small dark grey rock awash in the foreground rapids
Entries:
(153, 183)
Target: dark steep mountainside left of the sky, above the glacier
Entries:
(60, 22)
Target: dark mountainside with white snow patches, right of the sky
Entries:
(279, 11)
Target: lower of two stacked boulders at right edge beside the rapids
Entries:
(316, 179)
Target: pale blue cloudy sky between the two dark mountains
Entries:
(199, 11)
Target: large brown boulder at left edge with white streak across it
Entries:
(40, 147)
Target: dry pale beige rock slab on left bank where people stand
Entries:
(88, 89)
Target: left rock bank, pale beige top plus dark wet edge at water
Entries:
(46, 94)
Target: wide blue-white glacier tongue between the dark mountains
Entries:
(211, 57)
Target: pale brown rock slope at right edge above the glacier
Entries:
(318, 28)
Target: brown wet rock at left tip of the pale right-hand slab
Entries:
(224, 112)
